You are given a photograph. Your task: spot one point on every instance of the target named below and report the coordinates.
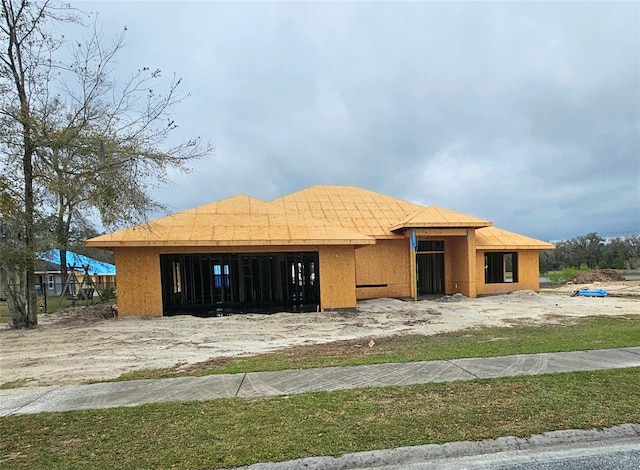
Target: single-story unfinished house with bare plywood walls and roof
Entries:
(324, 247)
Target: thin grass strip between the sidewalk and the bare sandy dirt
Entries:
(583, 334)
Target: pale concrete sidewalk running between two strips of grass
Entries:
(260, 384)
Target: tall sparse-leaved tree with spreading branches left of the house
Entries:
(88, 143)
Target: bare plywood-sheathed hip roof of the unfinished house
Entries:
(319, 215)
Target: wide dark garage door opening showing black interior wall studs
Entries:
(219, 284)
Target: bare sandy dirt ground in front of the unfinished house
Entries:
(77, 345)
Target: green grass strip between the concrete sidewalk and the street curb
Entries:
(232, 432)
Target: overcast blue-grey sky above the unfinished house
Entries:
(523, 113)
